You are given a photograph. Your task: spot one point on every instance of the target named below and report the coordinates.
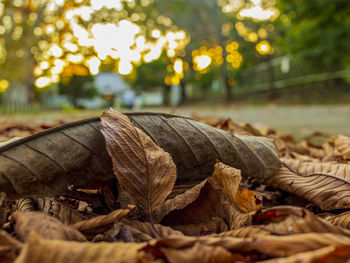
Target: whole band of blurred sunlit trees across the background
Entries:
(204, 47)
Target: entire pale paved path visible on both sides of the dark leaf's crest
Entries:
(298, 120)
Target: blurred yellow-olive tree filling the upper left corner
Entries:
(31, 34)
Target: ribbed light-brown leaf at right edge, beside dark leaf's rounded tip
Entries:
(326, 185)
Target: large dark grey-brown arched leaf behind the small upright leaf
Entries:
(74, 155)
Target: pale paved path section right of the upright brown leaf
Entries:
(299, 120)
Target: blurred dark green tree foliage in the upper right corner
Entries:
(315, 32)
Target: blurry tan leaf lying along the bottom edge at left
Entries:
(38, 250)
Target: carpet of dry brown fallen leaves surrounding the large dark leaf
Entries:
(298, 213)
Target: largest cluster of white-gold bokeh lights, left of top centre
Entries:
(123, 42)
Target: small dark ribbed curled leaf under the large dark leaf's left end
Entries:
(52, 208)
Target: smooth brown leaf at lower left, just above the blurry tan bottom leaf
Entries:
(44, 225)
